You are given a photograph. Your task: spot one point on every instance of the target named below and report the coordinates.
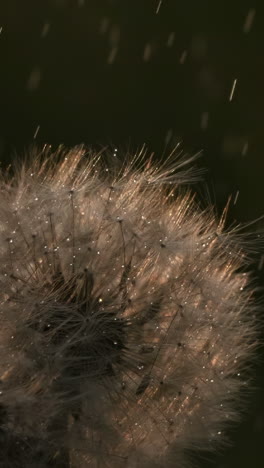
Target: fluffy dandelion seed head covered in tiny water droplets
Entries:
(127, 318)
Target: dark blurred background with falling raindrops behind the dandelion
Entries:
(126, 72)
